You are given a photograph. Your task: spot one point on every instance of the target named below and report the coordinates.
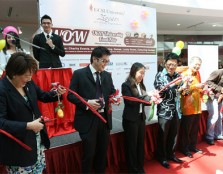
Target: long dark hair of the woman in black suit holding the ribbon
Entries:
(131, 78)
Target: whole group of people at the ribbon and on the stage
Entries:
(180, 108)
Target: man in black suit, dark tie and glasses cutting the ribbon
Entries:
(95, 89)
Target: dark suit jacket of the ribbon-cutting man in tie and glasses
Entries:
(84, 84)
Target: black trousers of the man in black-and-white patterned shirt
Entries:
(167, 137)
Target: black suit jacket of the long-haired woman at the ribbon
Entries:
(131, 109)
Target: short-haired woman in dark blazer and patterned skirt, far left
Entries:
(20, 116)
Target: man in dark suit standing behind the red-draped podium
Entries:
(51, 46)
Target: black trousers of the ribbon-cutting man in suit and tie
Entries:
(95, 144)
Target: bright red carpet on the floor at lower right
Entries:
(210, 162)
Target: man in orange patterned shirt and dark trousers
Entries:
(191, 108)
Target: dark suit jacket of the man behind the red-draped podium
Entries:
(49, 57)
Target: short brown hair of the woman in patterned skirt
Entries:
(19, 63)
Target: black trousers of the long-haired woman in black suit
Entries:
(134, 132)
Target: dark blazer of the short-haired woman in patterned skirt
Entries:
(14, 115)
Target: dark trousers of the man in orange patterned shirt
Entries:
(189, 128)
